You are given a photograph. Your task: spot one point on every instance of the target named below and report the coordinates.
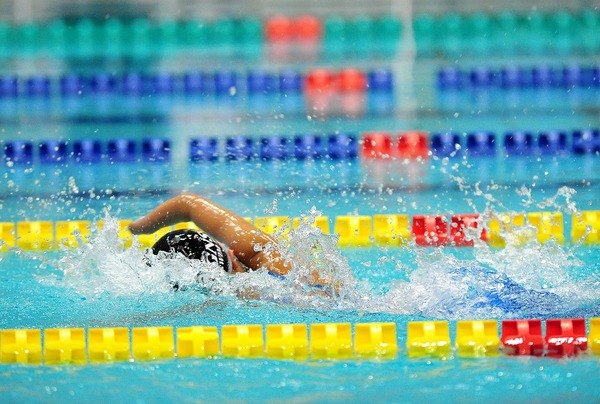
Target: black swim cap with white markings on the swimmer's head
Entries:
(193, 244)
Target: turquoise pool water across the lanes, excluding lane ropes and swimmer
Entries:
(103, 285)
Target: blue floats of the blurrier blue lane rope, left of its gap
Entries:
(134, 83)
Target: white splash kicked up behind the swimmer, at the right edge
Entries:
(528, 281)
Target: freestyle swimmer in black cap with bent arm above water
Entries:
(226, 238)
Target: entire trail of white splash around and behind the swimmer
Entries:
(527, 280)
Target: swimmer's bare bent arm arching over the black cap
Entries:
(242, 237)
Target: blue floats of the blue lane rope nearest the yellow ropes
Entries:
(336, 146)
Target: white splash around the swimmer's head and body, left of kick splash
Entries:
(104, 266)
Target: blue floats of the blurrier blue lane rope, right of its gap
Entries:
(540, 76)
